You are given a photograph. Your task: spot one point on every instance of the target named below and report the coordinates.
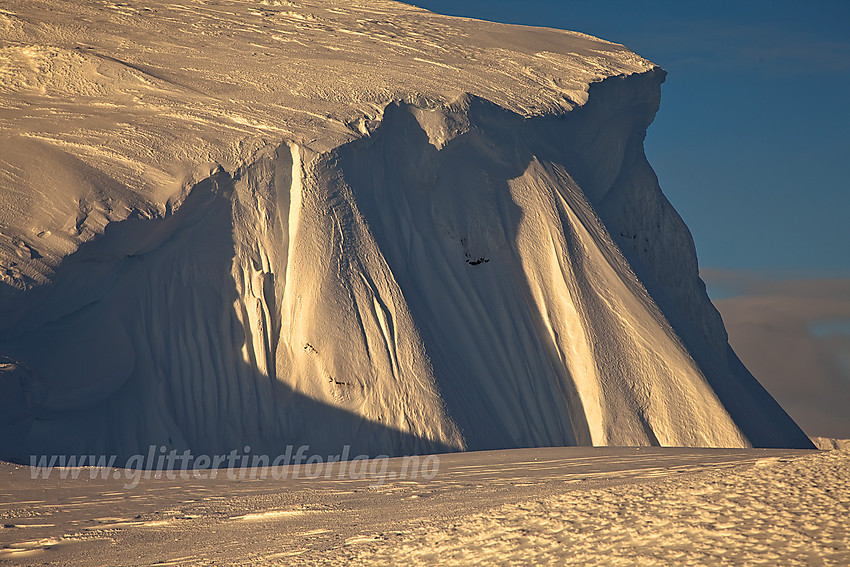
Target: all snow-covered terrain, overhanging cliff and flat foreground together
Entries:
(227, 223)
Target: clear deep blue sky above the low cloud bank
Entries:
(752, 142)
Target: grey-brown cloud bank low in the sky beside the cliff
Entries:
(794, 335)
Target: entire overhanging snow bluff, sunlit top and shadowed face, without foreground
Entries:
(240, 223)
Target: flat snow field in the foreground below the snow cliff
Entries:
(582, 506)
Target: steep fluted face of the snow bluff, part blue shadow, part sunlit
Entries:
(453, 273)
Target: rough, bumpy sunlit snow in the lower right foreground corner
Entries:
(774, 511)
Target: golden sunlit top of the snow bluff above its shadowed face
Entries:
(154, 89)
